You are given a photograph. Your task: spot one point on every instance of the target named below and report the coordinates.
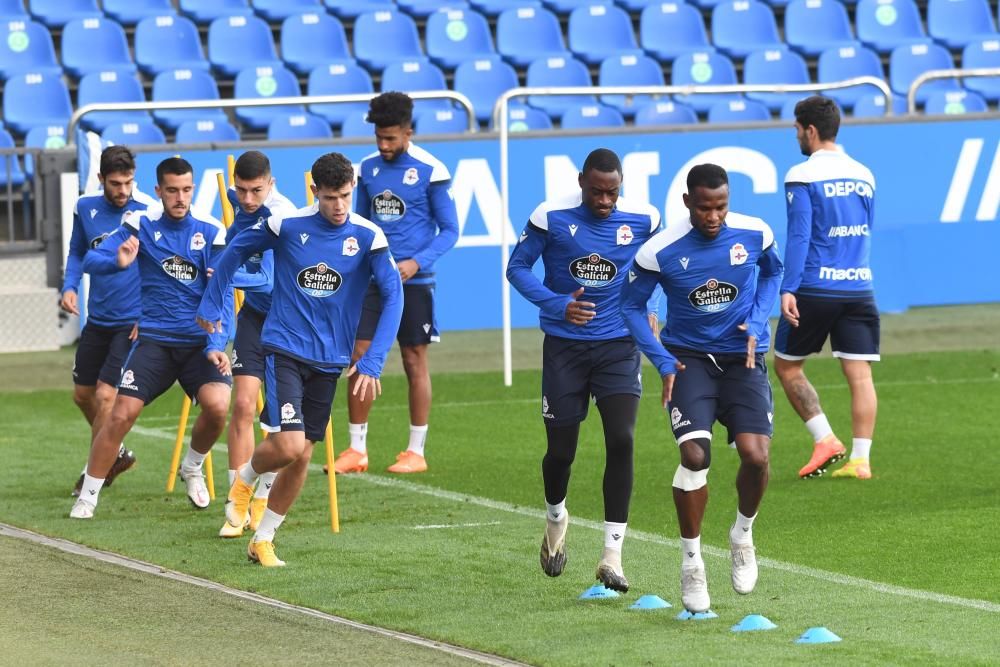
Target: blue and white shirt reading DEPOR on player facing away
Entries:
(830, 200)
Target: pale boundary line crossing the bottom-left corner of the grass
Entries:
(149, 568)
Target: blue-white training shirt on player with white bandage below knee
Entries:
(712, 287)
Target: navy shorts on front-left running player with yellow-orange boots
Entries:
(297, 397)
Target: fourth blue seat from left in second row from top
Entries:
(238, 42)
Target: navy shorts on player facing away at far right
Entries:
(853, 328)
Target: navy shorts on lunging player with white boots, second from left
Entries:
(151, 368)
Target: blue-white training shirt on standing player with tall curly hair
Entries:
(410, 198)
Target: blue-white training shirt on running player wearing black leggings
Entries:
(578, 250)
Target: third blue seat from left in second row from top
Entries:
(175, 35)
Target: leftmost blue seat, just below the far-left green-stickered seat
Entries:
(35, 99)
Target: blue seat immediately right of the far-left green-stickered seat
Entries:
(95, 45)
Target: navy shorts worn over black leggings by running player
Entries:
(573, 371)
